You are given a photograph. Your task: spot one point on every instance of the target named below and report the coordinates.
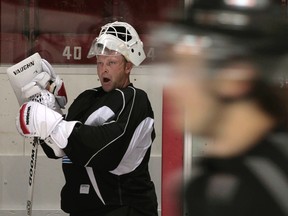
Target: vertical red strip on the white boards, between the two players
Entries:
(172, 164)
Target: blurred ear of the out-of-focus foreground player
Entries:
(235, 81)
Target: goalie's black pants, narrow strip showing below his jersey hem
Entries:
(113, 211)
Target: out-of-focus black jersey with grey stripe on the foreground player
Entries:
(255, 183)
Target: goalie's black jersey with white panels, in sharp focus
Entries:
(106, 162)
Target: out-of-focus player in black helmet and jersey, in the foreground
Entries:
(225, 85)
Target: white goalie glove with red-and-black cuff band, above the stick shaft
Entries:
(37, 120)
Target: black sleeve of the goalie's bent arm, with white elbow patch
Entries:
(104, 138)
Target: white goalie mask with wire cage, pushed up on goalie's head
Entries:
(118, 38)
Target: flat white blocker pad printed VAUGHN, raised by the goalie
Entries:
(23, 73)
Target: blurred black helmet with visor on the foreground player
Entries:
(223, 29)
